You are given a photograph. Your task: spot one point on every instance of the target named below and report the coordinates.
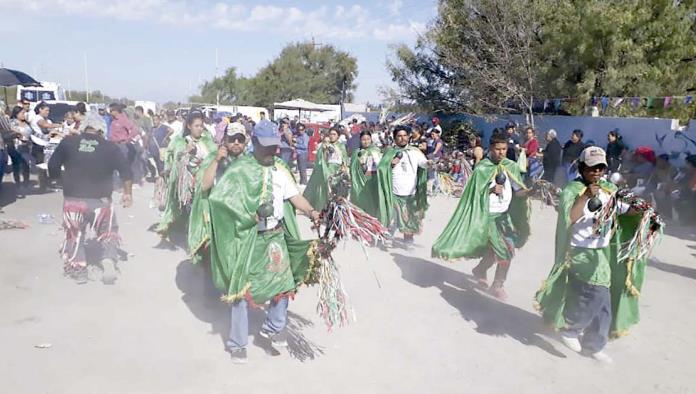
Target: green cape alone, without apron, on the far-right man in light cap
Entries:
(626, 279)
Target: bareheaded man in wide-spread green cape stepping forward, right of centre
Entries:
(491, 220)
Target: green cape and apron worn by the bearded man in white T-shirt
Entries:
(406, 212)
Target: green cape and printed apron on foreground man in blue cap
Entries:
(245, 263)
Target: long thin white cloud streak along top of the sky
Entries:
(336, 22)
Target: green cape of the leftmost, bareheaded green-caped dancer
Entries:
(175, 163)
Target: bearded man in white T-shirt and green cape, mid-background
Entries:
(402, 181)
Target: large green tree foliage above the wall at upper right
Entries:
(480, 55)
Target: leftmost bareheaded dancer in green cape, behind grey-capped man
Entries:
(185, 156)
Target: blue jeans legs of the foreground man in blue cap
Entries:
(276, 318)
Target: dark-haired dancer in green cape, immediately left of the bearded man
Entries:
(363, 175)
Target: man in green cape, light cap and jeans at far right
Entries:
(589, 294)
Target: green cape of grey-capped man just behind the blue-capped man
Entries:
(199, 228)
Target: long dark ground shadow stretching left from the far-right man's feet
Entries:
(491, 316)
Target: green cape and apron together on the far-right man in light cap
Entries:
(625, 280)
